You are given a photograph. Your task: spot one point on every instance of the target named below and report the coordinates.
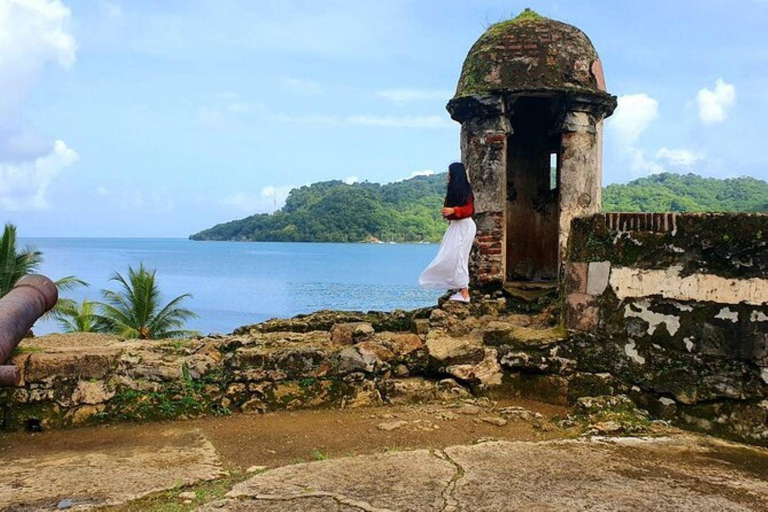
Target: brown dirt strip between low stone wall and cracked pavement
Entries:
(280, 438)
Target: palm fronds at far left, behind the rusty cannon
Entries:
(16, 263)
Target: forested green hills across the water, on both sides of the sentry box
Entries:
(408, 211)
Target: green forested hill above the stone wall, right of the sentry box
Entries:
(670, 192)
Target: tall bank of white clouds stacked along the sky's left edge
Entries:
(33, 33)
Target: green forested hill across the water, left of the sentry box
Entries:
(332, 211)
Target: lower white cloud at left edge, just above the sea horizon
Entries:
(23, 185)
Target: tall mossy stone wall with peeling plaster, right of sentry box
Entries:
(673, 308)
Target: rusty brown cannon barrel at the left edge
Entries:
(30, 298)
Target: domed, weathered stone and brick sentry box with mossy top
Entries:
(531, 99)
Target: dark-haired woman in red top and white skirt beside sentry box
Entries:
(449, 270)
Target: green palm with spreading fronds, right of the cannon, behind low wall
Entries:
(135, 311)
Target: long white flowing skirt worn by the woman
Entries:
(450, 268)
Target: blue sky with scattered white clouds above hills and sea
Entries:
(142, 118)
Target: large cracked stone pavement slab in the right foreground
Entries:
(681, 473)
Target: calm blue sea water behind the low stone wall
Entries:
(238, 283)
